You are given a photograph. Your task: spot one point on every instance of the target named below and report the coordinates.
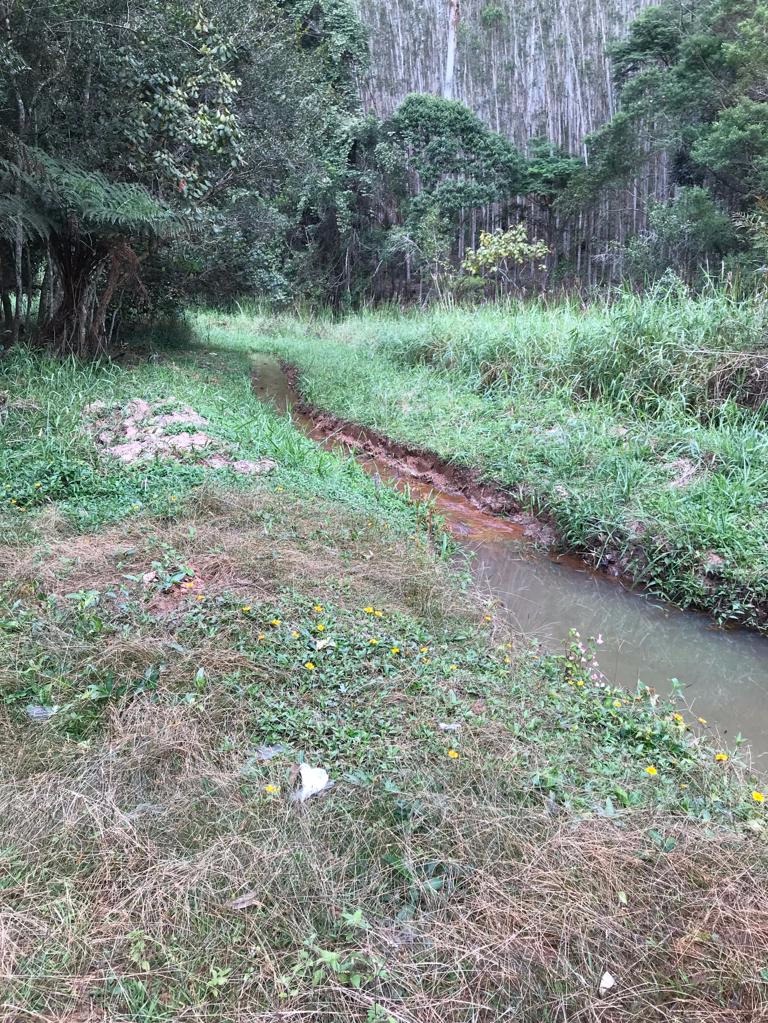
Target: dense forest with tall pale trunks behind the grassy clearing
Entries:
(158, 153)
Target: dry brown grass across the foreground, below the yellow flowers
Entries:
(146, 836)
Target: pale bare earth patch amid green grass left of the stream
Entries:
(141, 431)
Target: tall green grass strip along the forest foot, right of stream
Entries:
(639, 351)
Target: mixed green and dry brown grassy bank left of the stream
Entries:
(176, 640)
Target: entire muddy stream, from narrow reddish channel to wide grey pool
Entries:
(725, 673)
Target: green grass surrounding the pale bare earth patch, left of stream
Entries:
(49, 459)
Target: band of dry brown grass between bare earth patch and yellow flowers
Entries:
(245, 544)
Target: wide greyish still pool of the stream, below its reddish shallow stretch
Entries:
(726, 674)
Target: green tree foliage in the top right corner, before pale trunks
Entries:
(693, 84)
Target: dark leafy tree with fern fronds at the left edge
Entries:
(111, 114)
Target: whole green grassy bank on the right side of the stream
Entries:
(639, 428)
